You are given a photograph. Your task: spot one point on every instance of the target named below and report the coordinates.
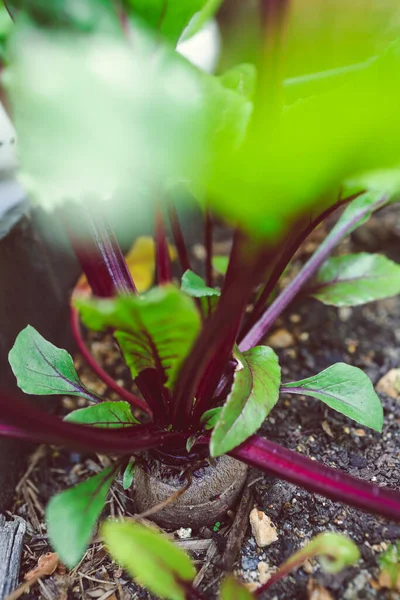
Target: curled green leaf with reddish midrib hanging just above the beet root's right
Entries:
(254, 393)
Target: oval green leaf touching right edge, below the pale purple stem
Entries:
(355, 279)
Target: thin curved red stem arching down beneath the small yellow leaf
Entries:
(96, 368)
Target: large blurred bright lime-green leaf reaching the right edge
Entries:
(271, 178)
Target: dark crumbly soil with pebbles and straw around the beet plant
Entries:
(367, 337)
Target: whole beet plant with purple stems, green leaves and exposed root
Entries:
(111, 106)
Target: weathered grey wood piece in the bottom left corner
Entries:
(11, 541)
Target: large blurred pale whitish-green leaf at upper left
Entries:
(97, 116)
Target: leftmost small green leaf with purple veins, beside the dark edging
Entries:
(42, 368)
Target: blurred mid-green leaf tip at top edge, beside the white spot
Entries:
(170, 18)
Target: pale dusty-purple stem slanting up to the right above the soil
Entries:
(262, 327)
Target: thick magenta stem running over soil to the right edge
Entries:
(315, 477)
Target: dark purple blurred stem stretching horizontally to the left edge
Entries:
(42, 427)
